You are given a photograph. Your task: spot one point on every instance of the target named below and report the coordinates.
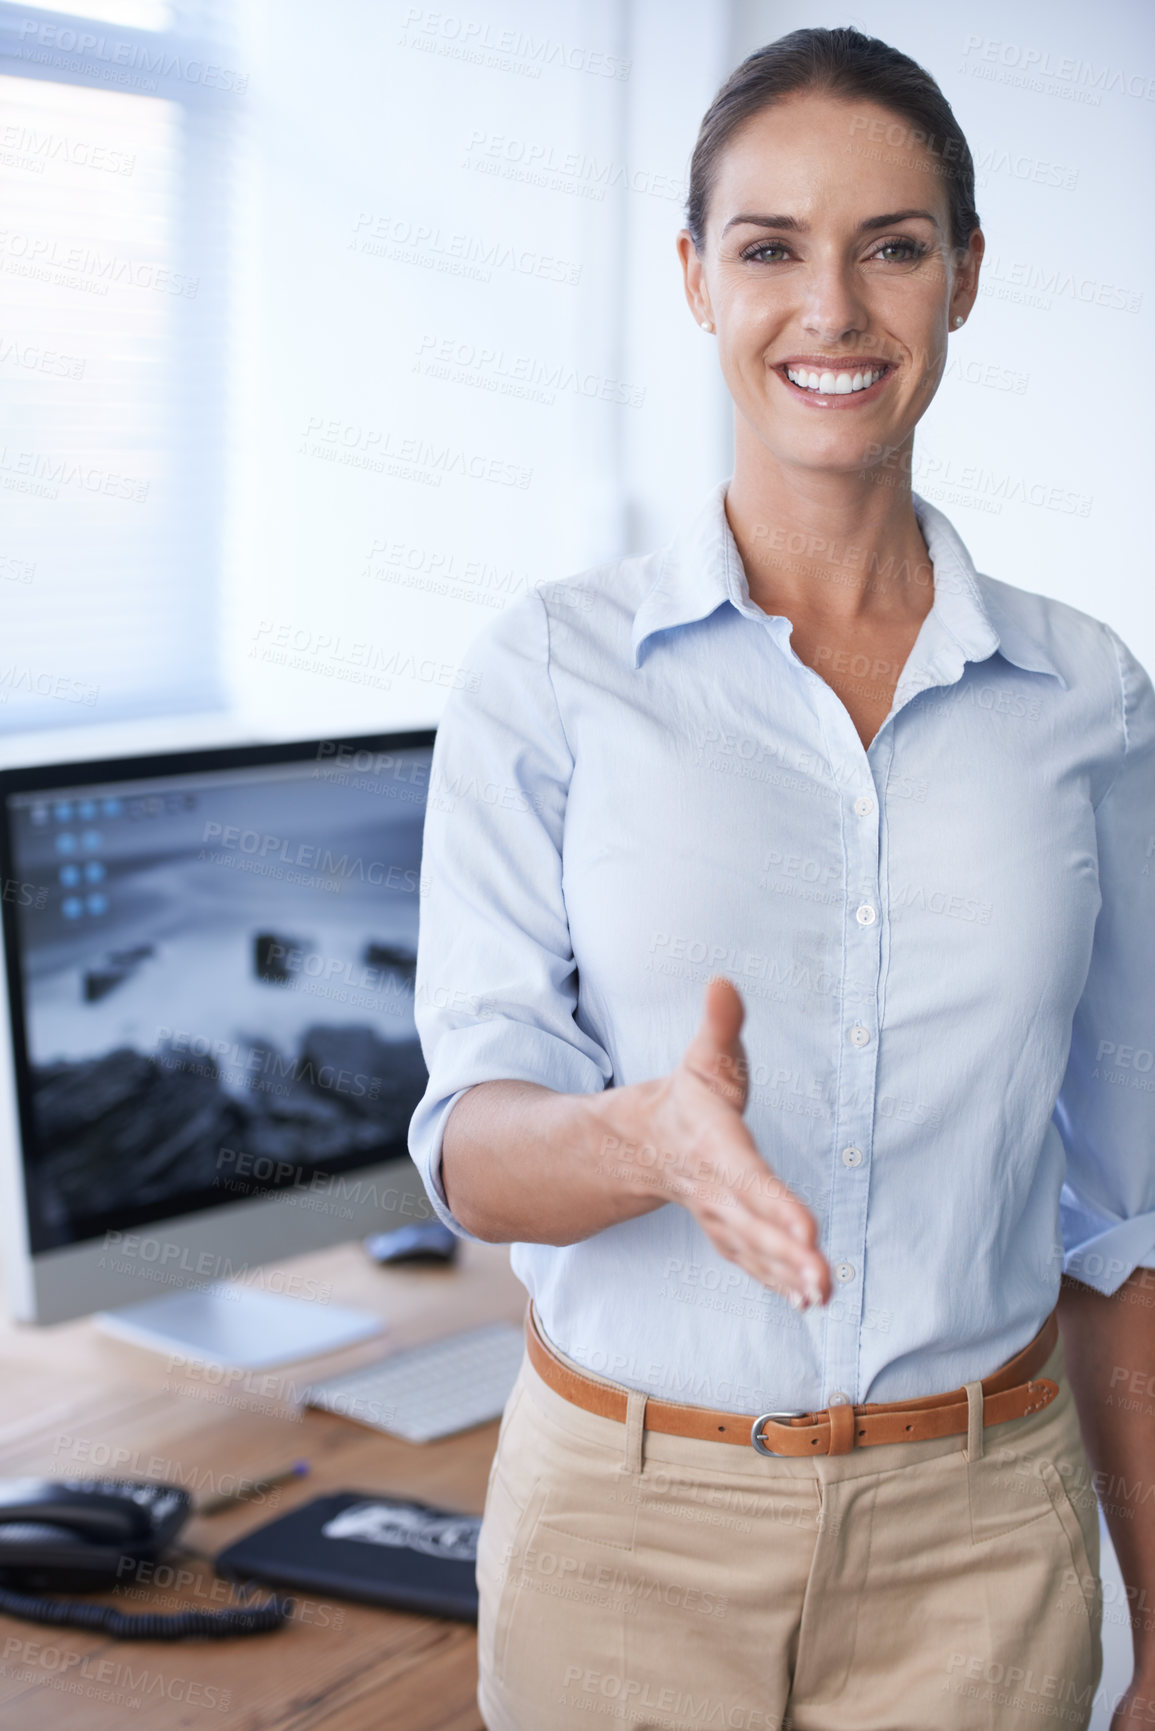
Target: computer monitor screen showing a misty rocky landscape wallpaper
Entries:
(212, 975)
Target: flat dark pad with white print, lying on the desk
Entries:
(358, 1545)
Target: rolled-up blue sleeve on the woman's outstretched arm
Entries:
(496, 986)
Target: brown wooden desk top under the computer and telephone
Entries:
(77, 1403)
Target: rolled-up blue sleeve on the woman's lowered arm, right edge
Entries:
(1106, 1110)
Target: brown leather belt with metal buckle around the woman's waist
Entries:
(1009, 1393)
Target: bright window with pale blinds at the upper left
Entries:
(113, 295)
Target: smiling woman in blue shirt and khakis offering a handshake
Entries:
(787, 925)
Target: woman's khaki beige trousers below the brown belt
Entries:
(666, 1585)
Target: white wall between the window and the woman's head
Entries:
(378, 155)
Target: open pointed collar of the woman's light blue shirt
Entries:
(971, 621)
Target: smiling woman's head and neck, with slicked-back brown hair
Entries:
(832, 243)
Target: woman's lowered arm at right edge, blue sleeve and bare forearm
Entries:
(1106, 1116)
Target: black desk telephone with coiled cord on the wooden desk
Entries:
(86, 1535)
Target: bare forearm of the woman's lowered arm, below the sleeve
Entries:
(1109, 1344)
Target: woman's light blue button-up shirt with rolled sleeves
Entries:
(946, 948)
